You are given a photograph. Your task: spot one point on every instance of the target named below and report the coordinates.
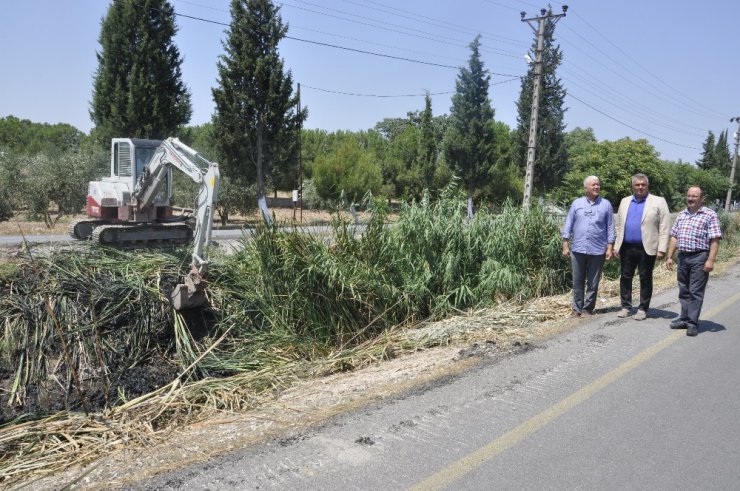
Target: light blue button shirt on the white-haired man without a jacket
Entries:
(589, 226)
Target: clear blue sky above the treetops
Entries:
(654, 69)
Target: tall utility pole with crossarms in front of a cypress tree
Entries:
(532, 145)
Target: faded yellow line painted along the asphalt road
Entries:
(473, 460)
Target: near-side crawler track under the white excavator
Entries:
(143, 234)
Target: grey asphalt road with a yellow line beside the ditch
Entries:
(612, 404)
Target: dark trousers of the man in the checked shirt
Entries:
(692, 281)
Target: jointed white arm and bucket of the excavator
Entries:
(172, 153)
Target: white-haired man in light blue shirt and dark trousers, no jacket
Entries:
(588, 239)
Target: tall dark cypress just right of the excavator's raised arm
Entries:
(257, 122)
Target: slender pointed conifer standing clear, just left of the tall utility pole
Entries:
(469, 146)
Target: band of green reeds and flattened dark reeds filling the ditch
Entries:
(78, 324)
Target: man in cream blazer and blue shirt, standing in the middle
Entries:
(643, 233)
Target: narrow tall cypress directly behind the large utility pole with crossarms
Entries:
(551, 157)
